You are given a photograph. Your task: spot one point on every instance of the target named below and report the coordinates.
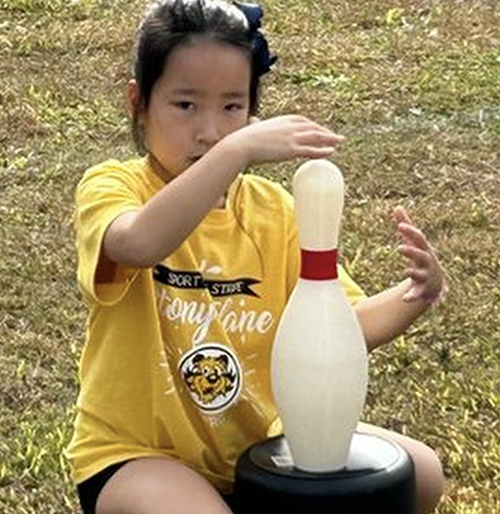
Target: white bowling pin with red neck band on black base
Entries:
(319, 363)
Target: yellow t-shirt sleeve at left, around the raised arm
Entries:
(104, 193)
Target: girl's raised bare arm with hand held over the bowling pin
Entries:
(144, 237)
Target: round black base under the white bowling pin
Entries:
(378, 478)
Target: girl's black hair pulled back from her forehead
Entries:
(170, 23)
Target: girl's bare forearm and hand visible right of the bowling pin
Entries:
(390, 313)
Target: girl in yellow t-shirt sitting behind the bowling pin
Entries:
(187, 265)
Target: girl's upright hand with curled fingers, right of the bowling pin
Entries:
(428, 281)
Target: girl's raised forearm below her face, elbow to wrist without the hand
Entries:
(145, 237)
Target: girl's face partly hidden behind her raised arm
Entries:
(202, 95)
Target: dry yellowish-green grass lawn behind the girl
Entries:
(415, 87)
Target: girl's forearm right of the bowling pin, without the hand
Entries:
(385, 316)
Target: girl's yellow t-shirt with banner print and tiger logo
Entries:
(176, 361)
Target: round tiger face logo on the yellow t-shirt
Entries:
(212, 375)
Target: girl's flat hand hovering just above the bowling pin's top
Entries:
(283, 138)
